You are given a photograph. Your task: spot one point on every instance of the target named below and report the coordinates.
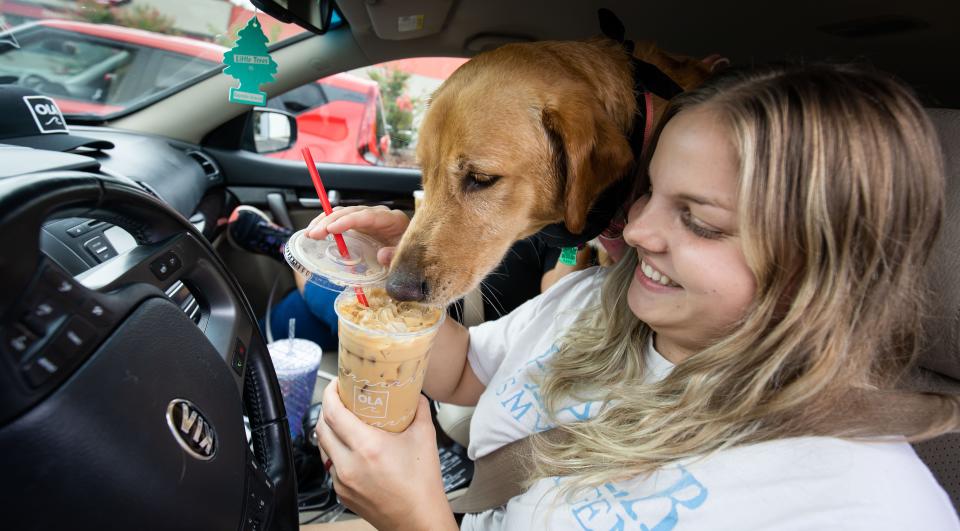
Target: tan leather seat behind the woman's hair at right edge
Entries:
(939, 366)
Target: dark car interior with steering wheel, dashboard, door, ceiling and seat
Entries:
(126, 248)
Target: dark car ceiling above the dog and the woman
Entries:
(747, 32)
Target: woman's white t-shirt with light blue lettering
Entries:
(788, 484)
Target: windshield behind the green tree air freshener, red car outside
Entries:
(101, 57)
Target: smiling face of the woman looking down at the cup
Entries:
(693, 282)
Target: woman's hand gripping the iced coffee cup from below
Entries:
(392, 480)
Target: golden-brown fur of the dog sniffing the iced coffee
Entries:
(549, 123)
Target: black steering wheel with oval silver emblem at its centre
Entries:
(117, 410)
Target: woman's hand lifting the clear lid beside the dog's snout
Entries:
(380, 222)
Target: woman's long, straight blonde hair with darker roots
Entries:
(840, 198)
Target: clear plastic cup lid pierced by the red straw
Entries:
(320, 261)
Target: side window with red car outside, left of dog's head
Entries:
(367, 116)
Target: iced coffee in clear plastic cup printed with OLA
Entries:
(383, 356)
